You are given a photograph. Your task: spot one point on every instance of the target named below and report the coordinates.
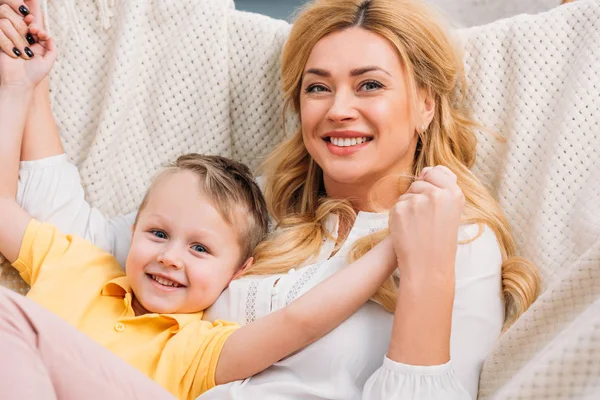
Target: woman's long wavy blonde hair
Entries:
(294, 182)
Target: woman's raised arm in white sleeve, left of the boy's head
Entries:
(50, 187)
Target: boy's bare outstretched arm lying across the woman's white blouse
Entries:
(267, 340)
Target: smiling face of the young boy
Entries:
(183, 253)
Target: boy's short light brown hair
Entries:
(233, 190)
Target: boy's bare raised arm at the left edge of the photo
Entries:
(14, 105)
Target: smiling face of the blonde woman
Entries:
(355, 110)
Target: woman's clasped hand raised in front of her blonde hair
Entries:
(424, 227)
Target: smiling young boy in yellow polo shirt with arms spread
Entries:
(194, 233)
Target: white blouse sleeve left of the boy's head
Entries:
(50, 190)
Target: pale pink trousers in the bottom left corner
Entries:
(42, 357)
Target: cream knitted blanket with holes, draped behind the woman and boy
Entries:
(142, 81)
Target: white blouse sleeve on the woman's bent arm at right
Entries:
(477, 319)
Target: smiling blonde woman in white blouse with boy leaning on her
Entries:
(376, 85)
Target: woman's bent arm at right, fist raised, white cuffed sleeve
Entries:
(425, 228)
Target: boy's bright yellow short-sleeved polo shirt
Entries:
(86, 286)
